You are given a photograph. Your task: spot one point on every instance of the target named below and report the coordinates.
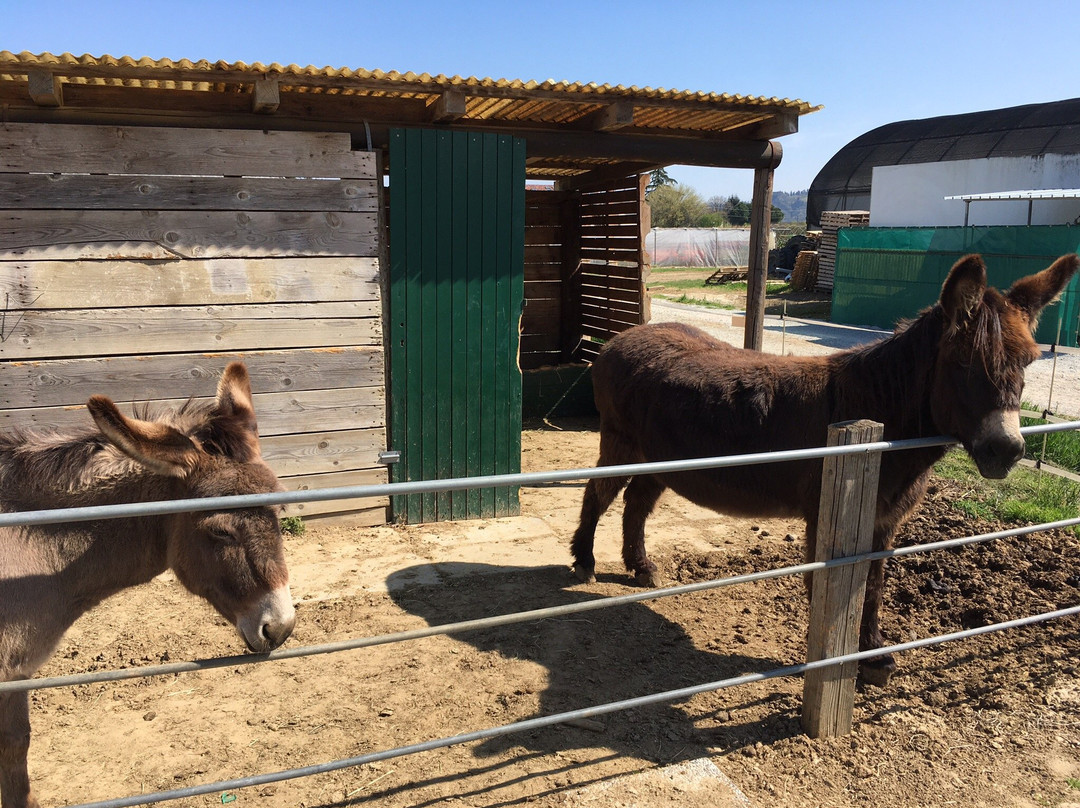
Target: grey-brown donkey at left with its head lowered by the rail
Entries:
(51, 575)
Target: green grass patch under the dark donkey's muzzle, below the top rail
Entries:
(1025, 497)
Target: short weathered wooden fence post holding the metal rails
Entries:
(845, 528)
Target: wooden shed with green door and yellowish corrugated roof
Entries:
(364, 241)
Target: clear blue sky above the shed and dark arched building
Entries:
(868, 63)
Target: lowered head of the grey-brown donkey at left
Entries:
(232, 558)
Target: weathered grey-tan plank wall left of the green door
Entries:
(139, 262)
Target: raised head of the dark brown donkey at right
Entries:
(987, 344)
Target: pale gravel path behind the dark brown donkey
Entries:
(812, 338)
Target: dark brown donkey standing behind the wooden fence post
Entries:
(668, 393)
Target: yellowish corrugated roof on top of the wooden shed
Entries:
(127, 90)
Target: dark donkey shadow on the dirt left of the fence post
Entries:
(591, 658)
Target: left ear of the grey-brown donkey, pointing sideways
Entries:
(157, 447)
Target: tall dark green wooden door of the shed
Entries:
(457, 241)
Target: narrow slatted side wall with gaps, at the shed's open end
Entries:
(614, 263)
